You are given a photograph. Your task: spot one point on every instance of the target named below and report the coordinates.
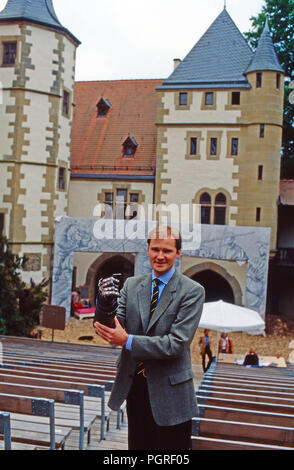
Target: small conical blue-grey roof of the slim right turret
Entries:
(265, 57)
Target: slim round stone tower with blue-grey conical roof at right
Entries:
(262, 111)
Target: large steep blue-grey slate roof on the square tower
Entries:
(218, 60)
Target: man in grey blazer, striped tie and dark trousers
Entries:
(154, 370)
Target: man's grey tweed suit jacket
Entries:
(163, 344)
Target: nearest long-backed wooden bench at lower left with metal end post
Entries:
(68, 397)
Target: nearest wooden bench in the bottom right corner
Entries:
(209, 443)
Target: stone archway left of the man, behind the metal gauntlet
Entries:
(104, 266)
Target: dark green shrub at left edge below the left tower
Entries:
(20, 305)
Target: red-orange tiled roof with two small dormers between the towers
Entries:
(97, 142)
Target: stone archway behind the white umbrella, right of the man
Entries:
(218, 274)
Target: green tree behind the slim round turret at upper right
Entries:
(280, 16)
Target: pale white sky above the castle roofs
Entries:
(138, 39)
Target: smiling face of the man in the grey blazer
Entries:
(162, 255)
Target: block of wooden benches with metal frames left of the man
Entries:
(74, 379)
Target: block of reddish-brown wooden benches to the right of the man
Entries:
(244, 409)
